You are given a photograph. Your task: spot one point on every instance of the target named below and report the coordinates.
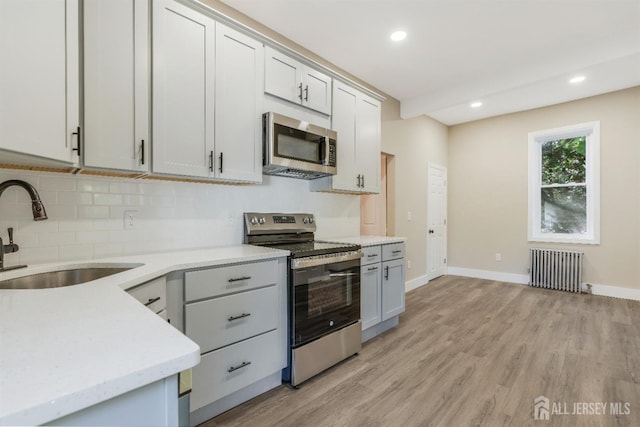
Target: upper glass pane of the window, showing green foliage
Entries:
(564, 161)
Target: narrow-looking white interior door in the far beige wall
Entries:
(436, 221)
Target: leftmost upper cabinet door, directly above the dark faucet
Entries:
(39, 78)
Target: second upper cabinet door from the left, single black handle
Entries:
(116, 84)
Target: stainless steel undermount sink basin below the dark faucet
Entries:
(56, 279)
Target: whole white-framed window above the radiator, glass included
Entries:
(564, 190)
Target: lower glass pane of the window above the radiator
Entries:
(563, 210)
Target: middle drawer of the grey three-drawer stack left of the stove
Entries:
(221, 321)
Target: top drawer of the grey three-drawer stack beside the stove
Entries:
(225, 280)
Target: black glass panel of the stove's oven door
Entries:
(325, 298)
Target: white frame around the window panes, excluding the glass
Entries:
(592, 132)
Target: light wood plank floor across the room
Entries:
(474, 352)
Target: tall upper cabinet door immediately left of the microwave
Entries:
(239, 99)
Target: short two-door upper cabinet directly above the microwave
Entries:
(293, 81)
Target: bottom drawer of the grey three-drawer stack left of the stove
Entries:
(229, 369)
